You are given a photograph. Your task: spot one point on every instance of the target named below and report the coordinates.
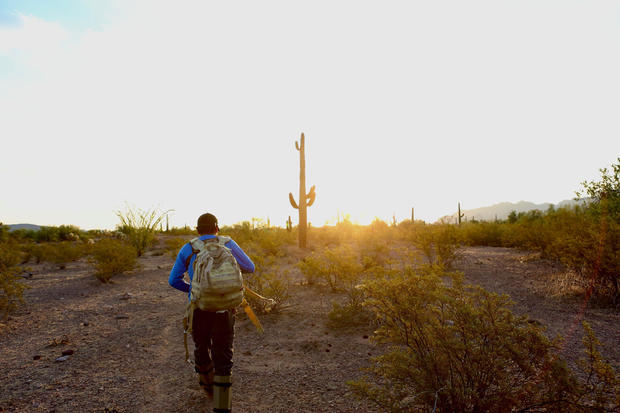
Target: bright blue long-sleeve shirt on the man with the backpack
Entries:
(176, 275)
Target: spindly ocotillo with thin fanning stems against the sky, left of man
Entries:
(140, 226)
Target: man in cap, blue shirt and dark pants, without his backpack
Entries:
(212, 331)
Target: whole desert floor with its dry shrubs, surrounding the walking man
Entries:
(408, 317)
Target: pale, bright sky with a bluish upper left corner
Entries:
(196, 105)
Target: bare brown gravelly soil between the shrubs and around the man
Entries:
(126, 341)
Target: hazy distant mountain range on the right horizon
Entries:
(502, 210)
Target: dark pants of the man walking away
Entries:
(213, 335)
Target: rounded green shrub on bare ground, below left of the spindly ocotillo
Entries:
(112, 257)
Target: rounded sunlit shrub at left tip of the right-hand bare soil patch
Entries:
(438, 243)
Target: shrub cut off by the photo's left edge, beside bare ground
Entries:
(10, 287)
